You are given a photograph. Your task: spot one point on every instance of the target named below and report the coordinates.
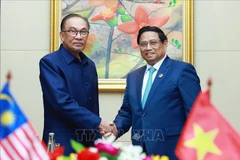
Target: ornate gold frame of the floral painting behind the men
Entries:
(118, 85)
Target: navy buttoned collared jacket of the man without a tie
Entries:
(70, 97)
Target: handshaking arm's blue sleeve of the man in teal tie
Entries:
(123, 119)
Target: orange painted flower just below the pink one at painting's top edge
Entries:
(106, 14)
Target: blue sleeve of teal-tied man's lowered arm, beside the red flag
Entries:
(189, 86)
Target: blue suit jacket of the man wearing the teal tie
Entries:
(171, 97)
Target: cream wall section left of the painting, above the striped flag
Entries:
(24, 40)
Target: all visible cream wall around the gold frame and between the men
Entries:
(25, 38)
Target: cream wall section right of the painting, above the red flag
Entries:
(217, 53)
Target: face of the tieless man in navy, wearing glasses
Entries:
(74, 43)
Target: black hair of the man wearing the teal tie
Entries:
(161, 34)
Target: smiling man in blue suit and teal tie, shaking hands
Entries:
(158, 96)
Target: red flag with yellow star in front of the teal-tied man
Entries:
(207, 135)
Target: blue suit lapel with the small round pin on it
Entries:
(162, 72)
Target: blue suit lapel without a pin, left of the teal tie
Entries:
(139, 82)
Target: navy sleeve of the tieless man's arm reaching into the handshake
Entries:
(56, 95)
